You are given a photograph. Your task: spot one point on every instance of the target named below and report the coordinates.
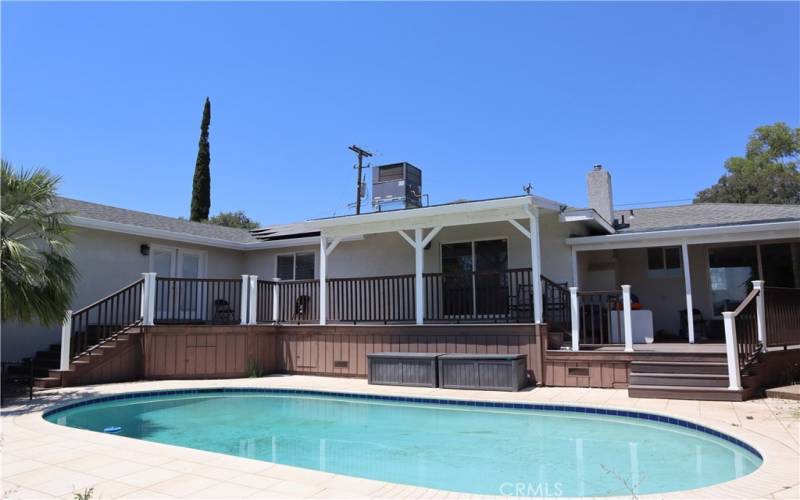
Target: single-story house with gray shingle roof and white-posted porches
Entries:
(458, 264)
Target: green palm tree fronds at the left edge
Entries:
(37, 275)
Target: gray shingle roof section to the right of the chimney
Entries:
(704, 215)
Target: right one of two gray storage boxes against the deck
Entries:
(491, 372)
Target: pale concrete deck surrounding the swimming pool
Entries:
(43, 460)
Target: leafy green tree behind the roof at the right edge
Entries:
(767, 173)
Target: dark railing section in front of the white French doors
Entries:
(197, 300)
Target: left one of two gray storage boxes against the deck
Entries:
(402, 368)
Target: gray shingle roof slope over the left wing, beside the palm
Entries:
(151, 221)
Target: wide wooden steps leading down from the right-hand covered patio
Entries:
(698, 376)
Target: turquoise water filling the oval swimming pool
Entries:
(471, 449)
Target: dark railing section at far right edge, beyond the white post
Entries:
(782, 308)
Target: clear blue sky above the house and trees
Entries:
(484, 97)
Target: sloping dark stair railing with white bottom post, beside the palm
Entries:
(92, 325)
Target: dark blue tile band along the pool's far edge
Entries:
(589, 410)
